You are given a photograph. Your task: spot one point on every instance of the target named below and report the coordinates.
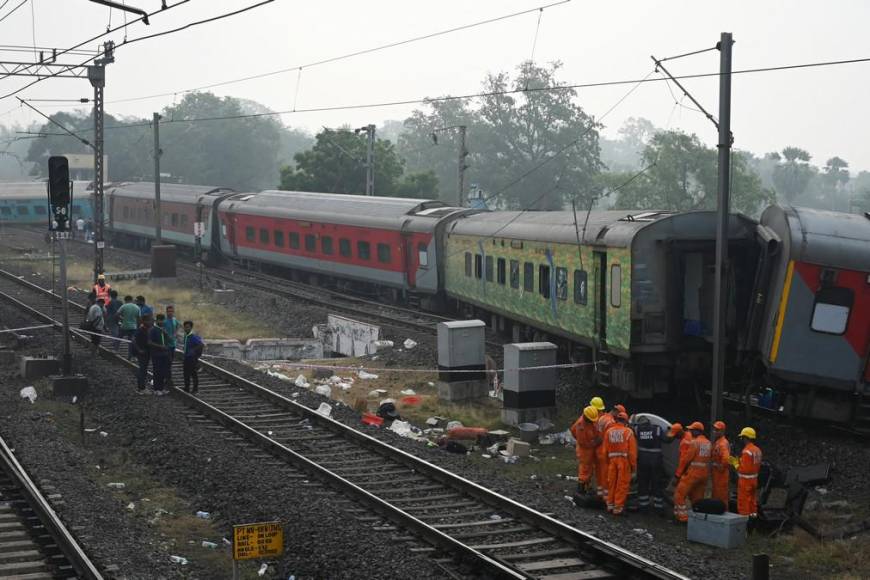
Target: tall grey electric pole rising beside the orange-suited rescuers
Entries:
(720, 314)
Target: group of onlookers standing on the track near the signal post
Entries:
(153, 338)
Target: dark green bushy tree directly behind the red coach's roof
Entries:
(336, 164)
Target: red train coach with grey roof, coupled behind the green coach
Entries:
(385, 242)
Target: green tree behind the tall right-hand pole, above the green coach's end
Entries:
(682, 175)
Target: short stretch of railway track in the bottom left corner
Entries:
(34, 543)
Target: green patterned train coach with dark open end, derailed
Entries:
(631, 292)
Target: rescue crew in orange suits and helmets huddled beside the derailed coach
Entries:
(612, 453)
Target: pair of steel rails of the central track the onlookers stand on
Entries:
(597, 552)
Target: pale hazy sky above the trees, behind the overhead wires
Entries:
(823, 110)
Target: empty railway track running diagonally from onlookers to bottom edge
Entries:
(488, 532)
